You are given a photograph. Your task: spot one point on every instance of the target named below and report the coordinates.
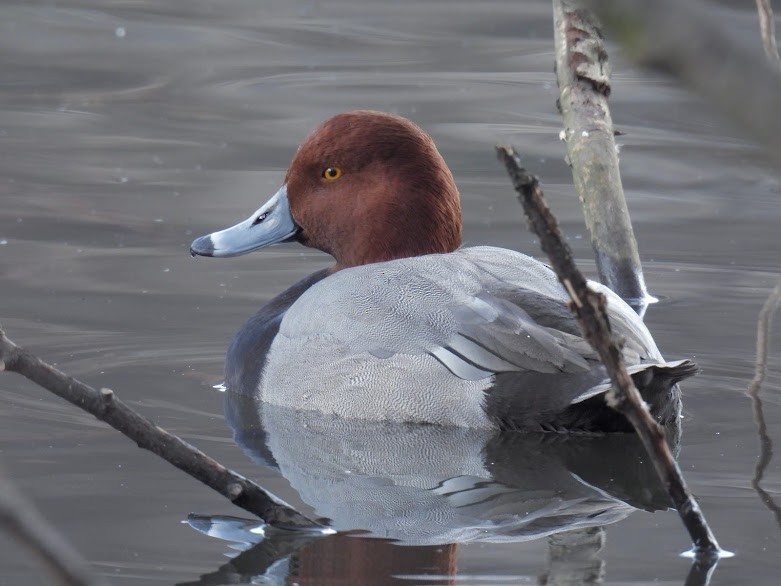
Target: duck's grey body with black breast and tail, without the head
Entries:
(480, 337)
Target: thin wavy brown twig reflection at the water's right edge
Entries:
(765, 443)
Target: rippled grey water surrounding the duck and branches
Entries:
(127, 128)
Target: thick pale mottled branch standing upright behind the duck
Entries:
(583, 75)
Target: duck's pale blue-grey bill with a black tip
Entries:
(271, 224)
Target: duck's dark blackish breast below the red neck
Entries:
(247, 352)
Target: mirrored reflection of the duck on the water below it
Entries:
(411, 493)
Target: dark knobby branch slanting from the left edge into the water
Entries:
(106, 406)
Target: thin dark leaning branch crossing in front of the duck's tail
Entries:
(589, 307)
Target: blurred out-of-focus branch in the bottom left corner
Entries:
(21, 519)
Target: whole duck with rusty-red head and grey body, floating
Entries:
(406, 325)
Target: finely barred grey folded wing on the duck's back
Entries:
(473, 323)
